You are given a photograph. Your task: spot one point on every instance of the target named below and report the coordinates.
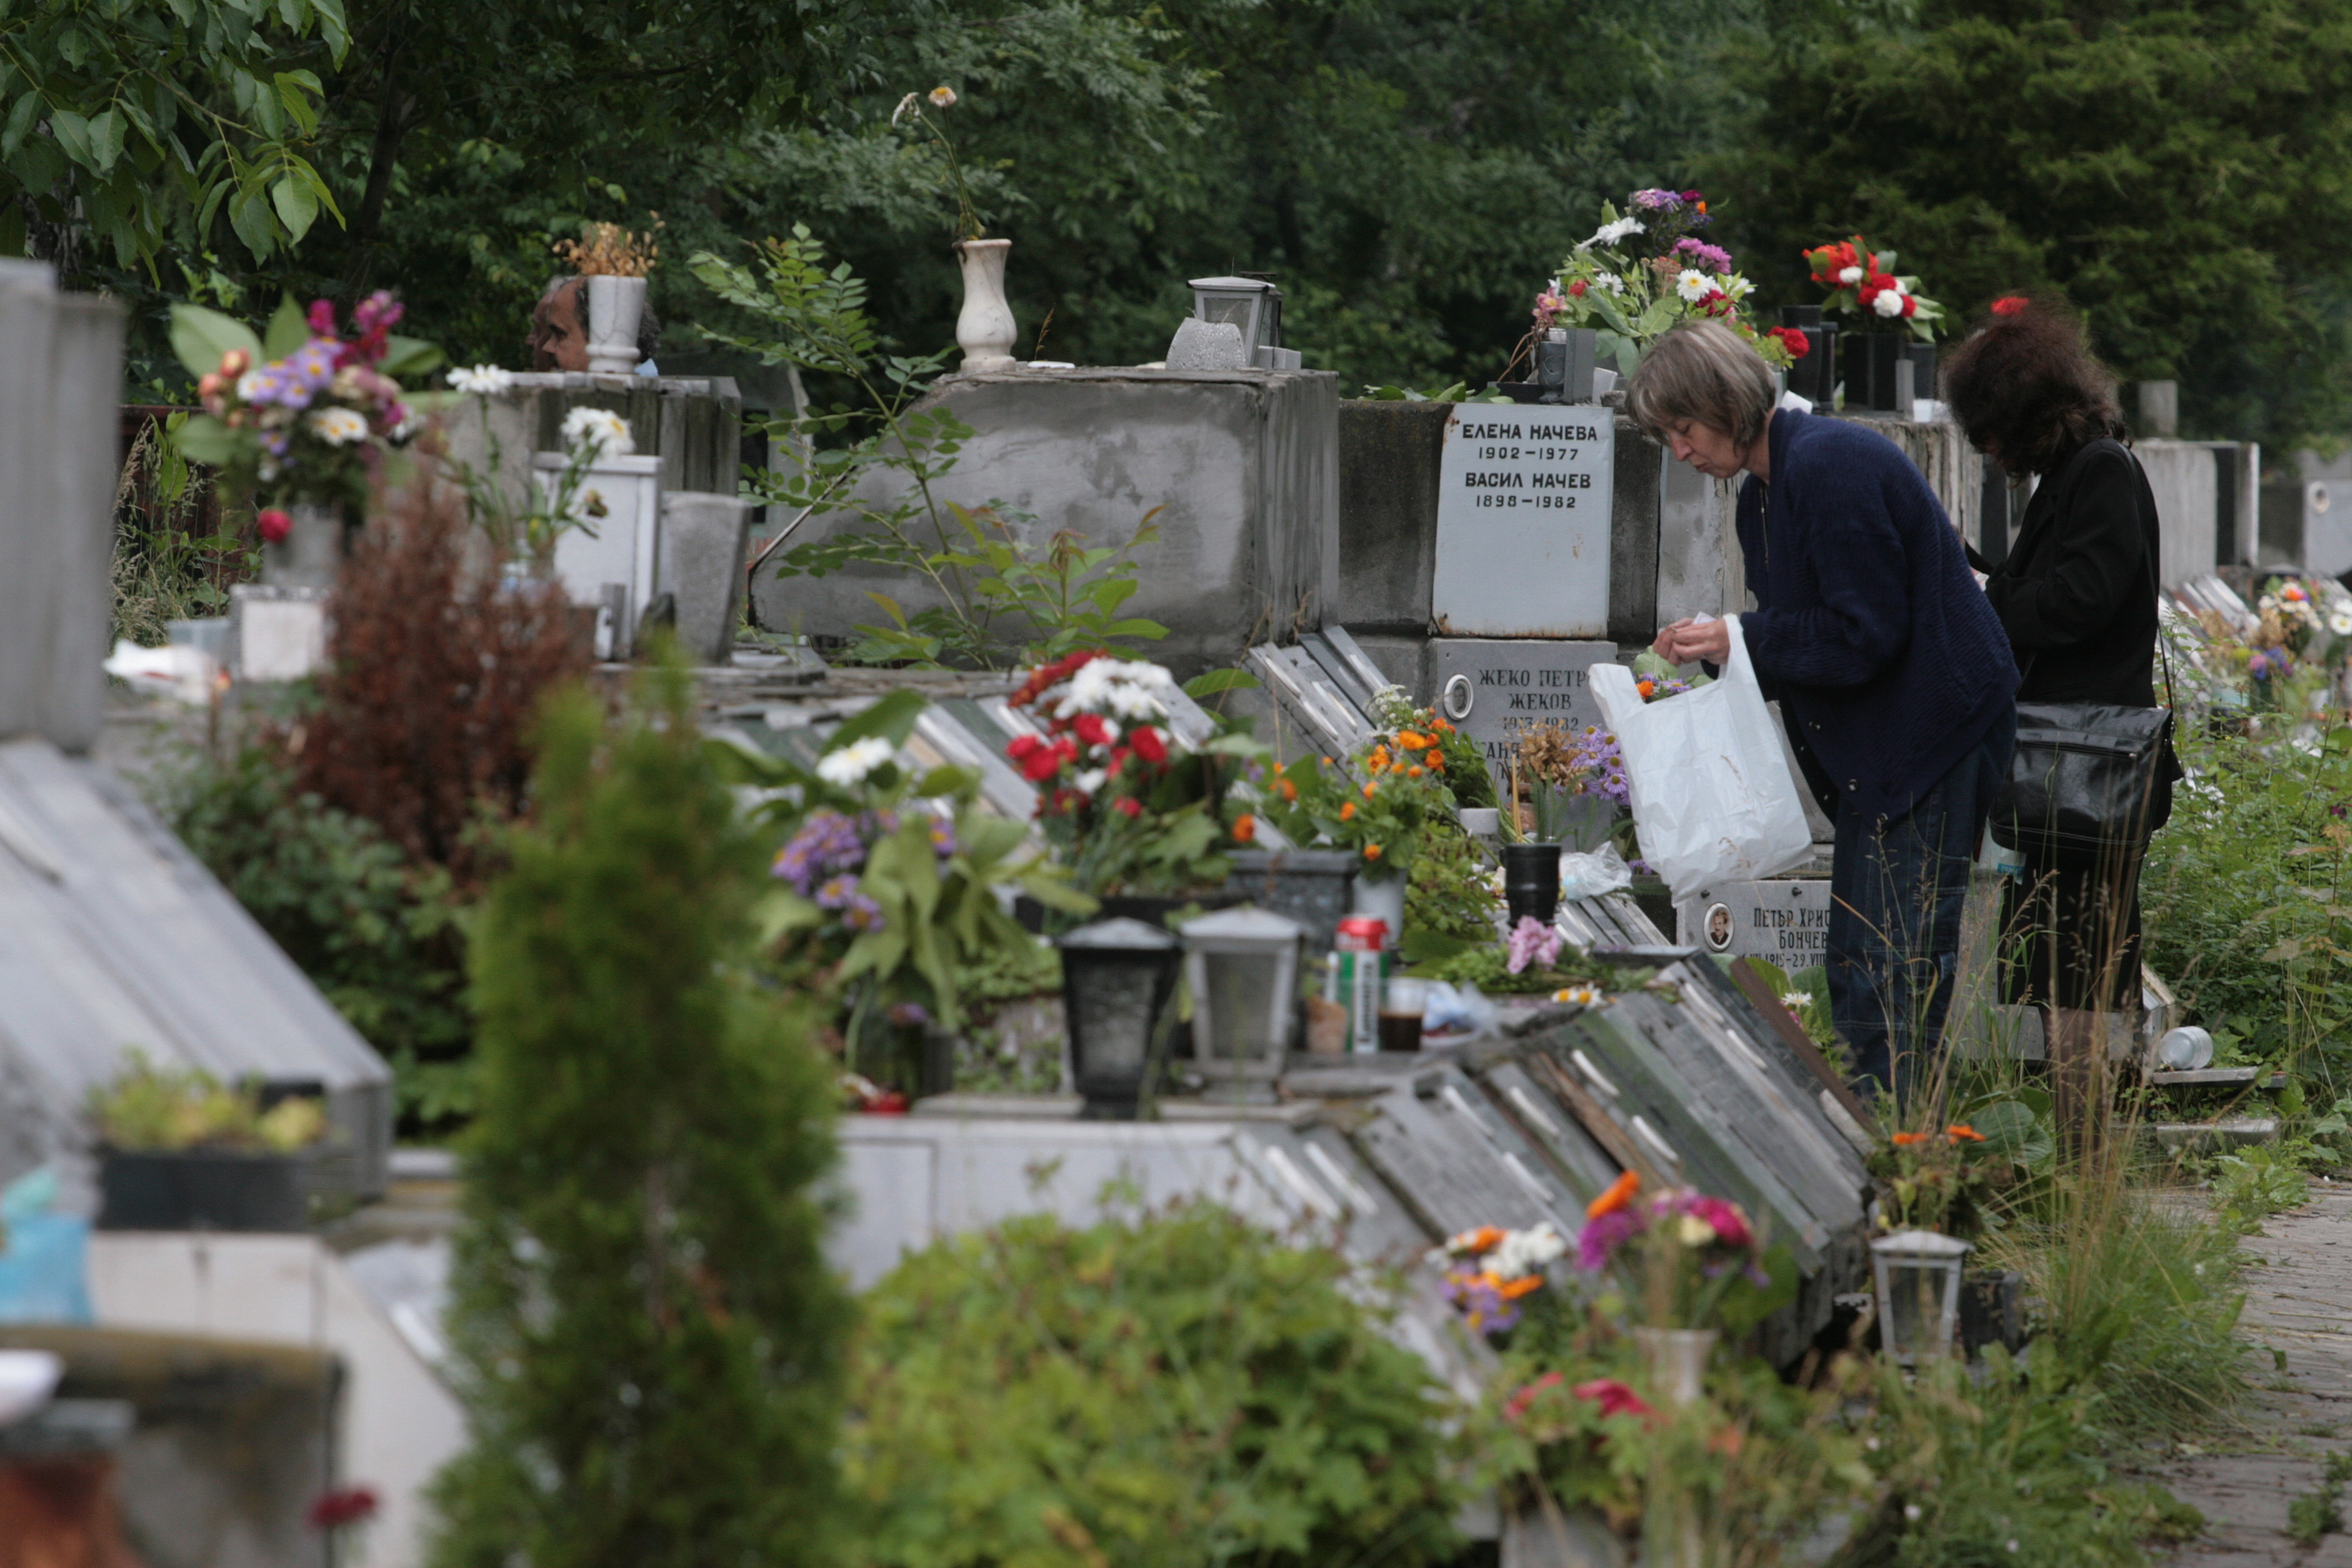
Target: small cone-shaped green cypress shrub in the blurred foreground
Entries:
(650, 1341)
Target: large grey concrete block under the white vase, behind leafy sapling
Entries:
(1236, 469)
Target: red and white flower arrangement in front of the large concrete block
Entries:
(1121, 798)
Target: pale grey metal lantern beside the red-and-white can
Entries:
(1243, 970)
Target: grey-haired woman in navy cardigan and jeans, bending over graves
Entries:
(1890, 666)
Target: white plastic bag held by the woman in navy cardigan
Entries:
(1713, 798)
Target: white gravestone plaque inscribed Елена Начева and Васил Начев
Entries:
(1523, 521)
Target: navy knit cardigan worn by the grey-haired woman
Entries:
(1869, 629)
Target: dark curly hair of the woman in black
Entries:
(2029, 389)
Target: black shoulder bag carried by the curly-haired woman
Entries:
(2090, 777)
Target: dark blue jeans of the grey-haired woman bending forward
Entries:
(1897, 892)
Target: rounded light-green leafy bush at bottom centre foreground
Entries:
(1161, 1391)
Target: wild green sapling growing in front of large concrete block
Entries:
(996, 598)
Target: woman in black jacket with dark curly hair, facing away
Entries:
(2078, 598)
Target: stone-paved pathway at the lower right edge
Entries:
(2299, 1304)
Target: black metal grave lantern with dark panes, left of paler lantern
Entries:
(1116, 986)
